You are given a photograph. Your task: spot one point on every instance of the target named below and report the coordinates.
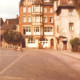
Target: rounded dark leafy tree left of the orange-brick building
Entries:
(14, 38)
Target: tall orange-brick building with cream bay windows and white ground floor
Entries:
(36, 23)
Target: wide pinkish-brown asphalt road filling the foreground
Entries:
(34, 64)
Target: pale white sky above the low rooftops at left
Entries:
(9, 8)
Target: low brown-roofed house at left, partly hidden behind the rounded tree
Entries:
(9, 25)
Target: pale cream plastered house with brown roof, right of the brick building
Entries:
(67, 23)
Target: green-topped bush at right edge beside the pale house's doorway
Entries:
(75, 43)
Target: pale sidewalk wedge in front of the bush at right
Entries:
(71, 54)
